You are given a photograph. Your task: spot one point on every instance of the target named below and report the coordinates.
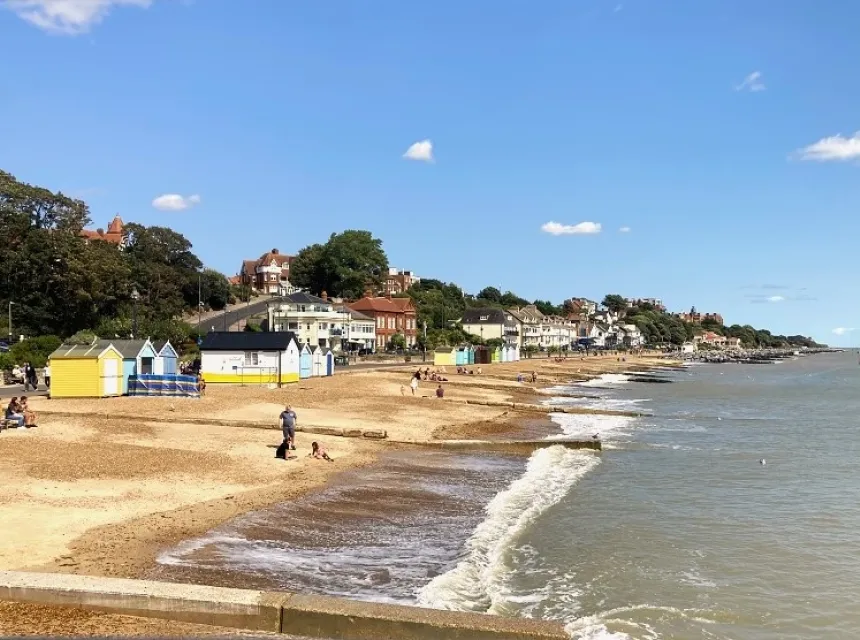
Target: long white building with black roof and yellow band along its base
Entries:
(245, 357)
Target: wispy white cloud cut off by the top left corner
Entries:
(70, 17)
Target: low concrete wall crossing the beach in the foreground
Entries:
(272, 612)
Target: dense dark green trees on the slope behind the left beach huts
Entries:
(59, 284)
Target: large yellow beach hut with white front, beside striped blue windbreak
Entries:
(86, 371)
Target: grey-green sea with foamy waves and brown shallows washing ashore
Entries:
(729, 509)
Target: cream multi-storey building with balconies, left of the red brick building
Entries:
(314, 320)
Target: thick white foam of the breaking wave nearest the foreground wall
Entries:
(477, 583)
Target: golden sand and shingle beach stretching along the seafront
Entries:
(102, 485)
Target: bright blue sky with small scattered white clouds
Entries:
(721, 133)
